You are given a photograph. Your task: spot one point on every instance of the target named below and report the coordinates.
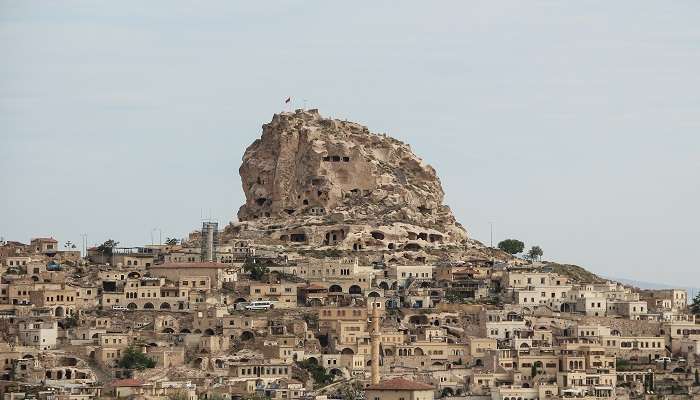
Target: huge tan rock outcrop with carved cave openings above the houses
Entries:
(316, 181)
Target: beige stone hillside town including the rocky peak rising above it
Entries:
(343, 276)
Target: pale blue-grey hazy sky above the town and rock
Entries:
(574, 126)
